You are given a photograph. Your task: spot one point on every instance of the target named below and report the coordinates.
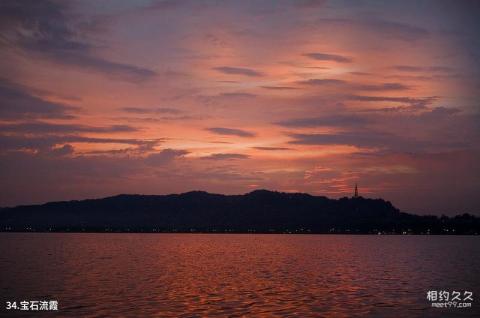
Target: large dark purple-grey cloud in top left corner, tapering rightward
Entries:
(42, 28)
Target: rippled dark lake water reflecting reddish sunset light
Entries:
(204, 275)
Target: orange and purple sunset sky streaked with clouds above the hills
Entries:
(99, 98)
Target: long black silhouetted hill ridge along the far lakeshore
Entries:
(260, 211)
